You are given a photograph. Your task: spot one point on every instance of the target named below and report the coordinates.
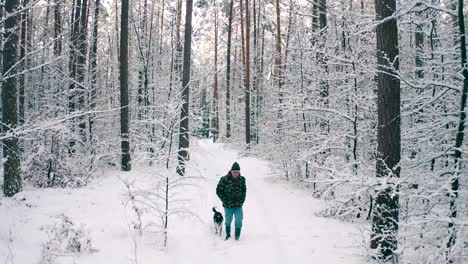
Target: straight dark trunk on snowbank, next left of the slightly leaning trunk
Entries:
(124, 94)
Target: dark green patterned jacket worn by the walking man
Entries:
(231, 191)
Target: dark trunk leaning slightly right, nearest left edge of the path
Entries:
(183, 154)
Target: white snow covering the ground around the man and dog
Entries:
(280, 225)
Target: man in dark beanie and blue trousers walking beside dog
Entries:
(231, 190)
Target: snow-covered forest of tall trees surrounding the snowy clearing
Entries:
(360, 102)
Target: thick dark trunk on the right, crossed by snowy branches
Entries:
(385, 216)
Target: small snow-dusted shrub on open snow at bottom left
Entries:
(65, 239)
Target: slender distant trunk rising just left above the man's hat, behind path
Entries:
(228, 71)
